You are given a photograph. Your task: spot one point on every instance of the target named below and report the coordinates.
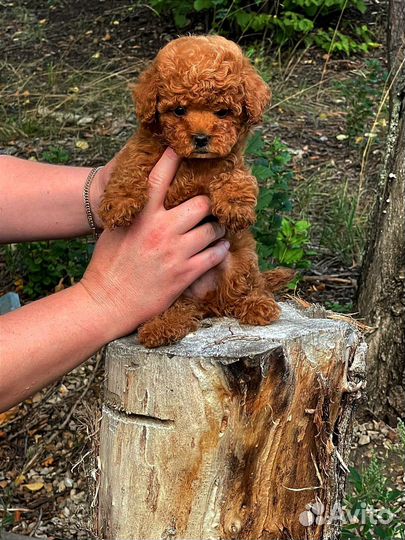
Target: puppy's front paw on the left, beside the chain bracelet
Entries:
(119, 211)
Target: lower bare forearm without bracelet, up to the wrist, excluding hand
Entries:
(45, 339)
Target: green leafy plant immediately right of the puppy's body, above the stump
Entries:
(280, 240)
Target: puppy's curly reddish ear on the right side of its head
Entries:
(257, 93)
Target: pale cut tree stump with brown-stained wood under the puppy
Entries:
(236, 432)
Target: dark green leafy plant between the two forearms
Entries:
(43, 265)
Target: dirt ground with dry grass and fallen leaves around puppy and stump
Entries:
(64, 71)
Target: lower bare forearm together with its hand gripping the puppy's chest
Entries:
(136, 272)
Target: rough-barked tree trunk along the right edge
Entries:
(382, 288)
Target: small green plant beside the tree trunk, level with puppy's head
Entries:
(361, 93)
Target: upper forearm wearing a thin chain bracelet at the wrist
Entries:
(43, 201)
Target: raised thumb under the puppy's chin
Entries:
(161, 176)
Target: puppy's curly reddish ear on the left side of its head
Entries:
(145, 95)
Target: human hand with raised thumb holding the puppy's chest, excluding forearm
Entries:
(138, 271)
